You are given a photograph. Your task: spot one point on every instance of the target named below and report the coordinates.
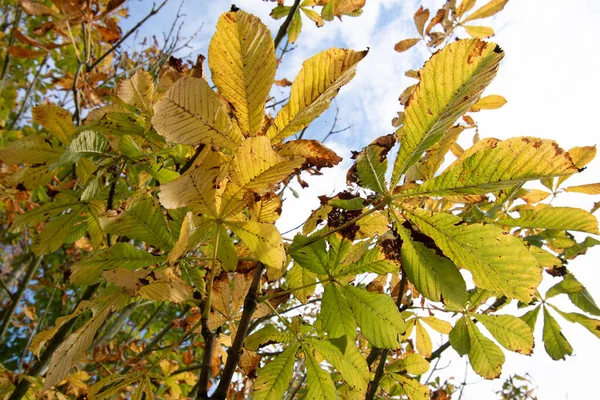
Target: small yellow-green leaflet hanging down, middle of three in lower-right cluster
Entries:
(485, 356)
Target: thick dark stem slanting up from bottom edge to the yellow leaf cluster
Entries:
(235, 351)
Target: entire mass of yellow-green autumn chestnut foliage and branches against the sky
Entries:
(145, 231)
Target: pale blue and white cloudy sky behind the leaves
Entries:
(550, 78)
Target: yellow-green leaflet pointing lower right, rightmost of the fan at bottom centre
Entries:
(354, 371)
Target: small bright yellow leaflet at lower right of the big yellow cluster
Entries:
(263, 240)
